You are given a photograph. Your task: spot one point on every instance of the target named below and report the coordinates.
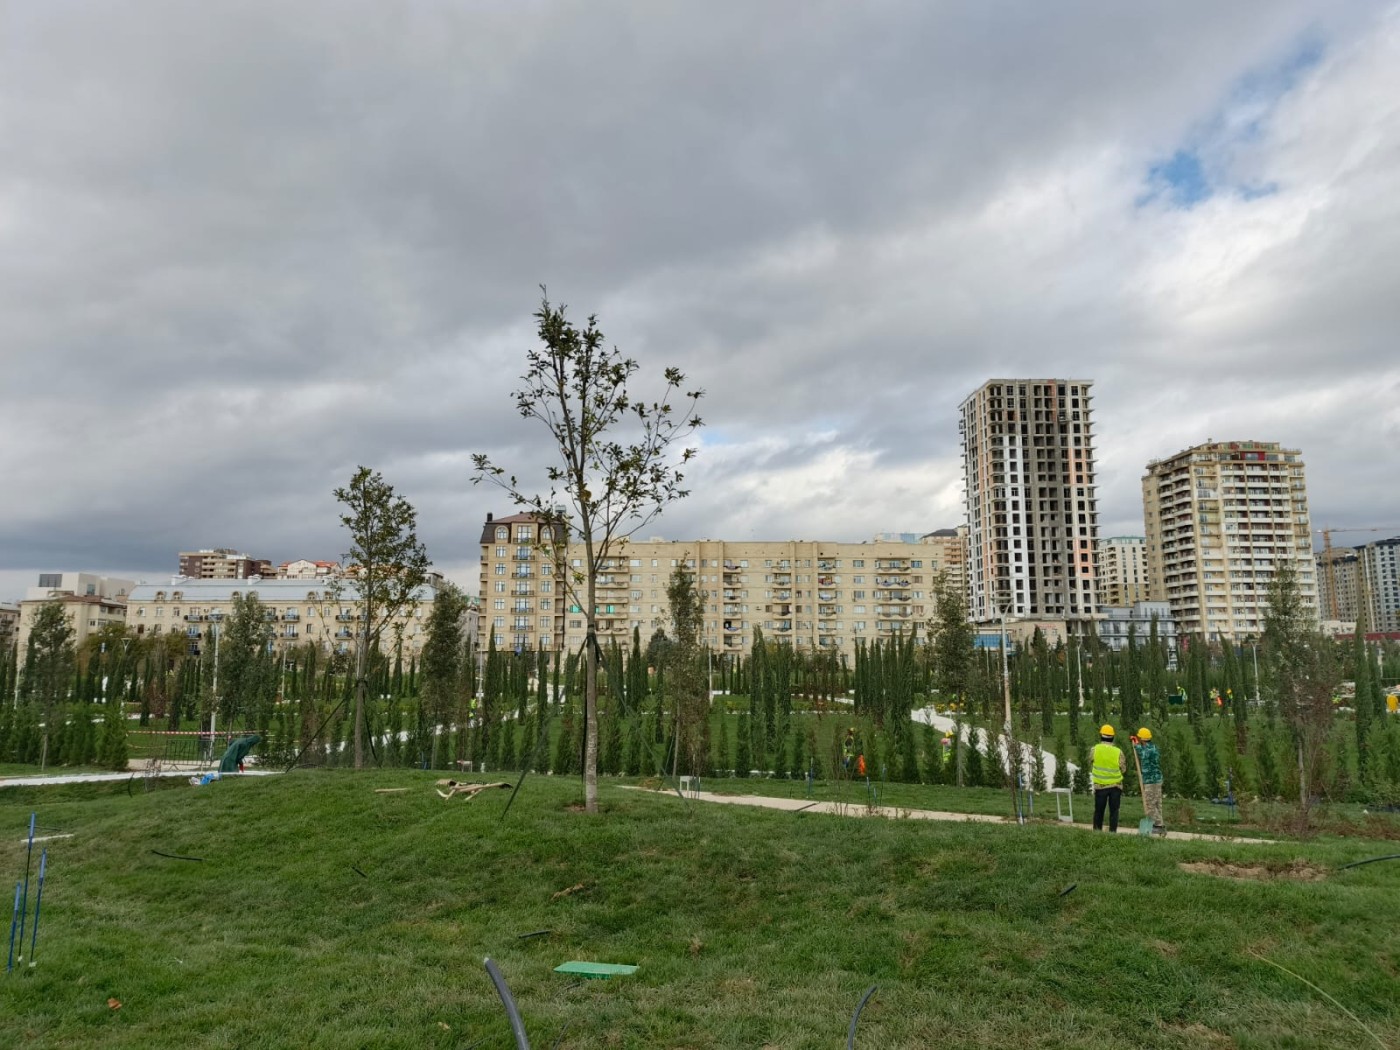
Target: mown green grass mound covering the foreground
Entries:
(752, 929)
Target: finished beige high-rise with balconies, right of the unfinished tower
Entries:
(1221, 520)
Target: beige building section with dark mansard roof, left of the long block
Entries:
(523, 584)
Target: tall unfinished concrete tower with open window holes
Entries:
(1031, 502)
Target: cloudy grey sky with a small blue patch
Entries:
(247, 247)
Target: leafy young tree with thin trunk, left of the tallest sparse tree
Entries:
(388, 565)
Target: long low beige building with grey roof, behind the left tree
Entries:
(297, 612)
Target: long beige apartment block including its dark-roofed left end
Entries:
(814, 594)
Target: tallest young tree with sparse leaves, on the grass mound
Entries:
(617, 465)
